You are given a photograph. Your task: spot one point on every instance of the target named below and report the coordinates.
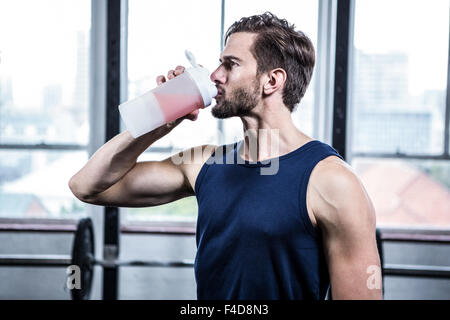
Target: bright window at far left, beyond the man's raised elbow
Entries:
(44, 106)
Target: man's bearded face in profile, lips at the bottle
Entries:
(238, 86)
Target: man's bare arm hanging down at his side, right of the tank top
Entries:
(346, 217)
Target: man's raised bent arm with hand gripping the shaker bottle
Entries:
(112, 176)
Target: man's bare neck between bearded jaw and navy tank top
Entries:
(269, 132)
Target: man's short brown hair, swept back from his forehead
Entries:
(279, 45)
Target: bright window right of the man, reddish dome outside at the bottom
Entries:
(399, 110)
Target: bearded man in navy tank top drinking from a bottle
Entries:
(287, 234)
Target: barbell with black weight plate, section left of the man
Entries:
(83, 256)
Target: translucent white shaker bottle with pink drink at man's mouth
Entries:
(173, 99)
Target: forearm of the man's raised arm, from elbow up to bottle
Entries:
(111, 162)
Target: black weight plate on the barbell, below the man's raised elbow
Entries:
(83, 257)
